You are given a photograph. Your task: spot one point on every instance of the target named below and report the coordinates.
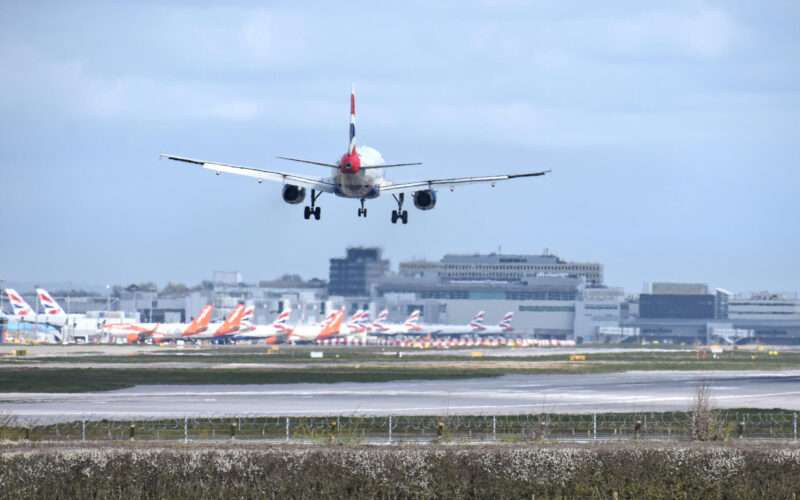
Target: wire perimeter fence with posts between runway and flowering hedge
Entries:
(397, 429)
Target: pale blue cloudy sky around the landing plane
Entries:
(672, 130)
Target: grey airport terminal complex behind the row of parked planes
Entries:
(549, 296)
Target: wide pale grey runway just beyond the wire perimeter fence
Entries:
(509, 394)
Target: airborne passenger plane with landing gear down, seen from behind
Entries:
(358, 174)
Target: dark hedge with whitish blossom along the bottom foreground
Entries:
(500, 471)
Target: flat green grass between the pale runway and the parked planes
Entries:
(347, 367)
